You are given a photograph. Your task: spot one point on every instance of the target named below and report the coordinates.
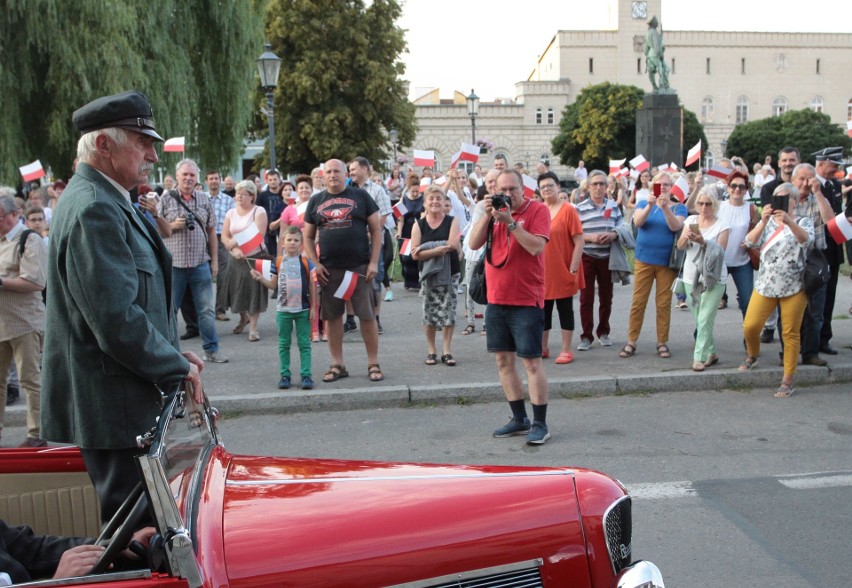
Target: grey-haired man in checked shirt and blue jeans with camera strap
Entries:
(194, 249)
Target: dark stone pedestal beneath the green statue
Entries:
(659, 129)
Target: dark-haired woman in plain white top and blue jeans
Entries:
(739, 216)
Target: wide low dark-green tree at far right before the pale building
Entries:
(806, 130)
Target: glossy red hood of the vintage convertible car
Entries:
(310, 522)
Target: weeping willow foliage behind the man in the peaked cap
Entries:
(195, 62)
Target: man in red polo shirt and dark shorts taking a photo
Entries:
(515, 314)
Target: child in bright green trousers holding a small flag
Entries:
(297, 298)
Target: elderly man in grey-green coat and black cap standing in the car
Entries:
(111, 347)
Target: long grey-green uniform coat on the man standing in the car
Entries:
(110, 336)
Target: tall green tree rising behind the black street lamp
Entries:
(340, 88)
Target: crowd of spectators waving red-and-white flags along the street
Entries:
(323, 245)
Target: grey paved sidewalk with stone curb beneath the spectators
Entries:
(248, 384)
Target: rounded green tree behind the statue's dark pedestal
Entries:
(601, 124)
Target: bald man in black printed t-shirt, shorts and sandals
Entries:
(346, 220)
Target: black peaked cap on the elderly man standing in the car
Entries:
(128, 110)
